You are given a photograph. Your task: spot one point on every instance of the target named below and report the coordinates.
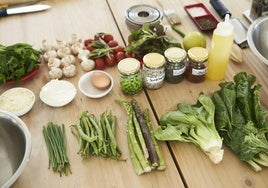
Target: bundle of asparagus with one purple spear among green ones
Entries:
(144, 150)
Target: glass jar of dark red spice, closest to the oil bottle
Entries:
(196, 67)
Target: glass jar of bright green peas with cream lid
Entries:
(130, 76)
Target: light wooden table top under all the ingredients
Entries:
(187, 165)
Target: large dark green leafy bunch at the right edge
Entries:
(241, 121)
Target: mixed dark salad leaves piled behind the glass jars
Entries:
(149, 38)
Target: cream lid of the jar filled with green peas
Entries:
(128, 66)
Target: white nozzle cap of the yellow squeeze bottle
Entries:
(225, 28)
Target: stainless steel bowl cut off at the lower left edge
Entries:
(15, 147)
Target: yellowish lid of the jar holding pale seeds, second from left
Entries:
(153, 60)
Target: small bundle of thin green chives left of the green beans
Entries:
(56, 143)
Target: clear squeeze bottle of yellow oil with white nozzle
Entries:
(221, 45)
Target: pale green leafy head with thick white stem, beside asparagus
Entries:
(195, 124)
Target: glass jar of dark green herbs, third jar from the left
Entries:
(175, 64)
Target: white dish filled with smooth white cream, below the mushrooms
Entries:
(57, 93)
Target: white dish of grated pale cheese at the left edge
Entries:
(17, 100)
